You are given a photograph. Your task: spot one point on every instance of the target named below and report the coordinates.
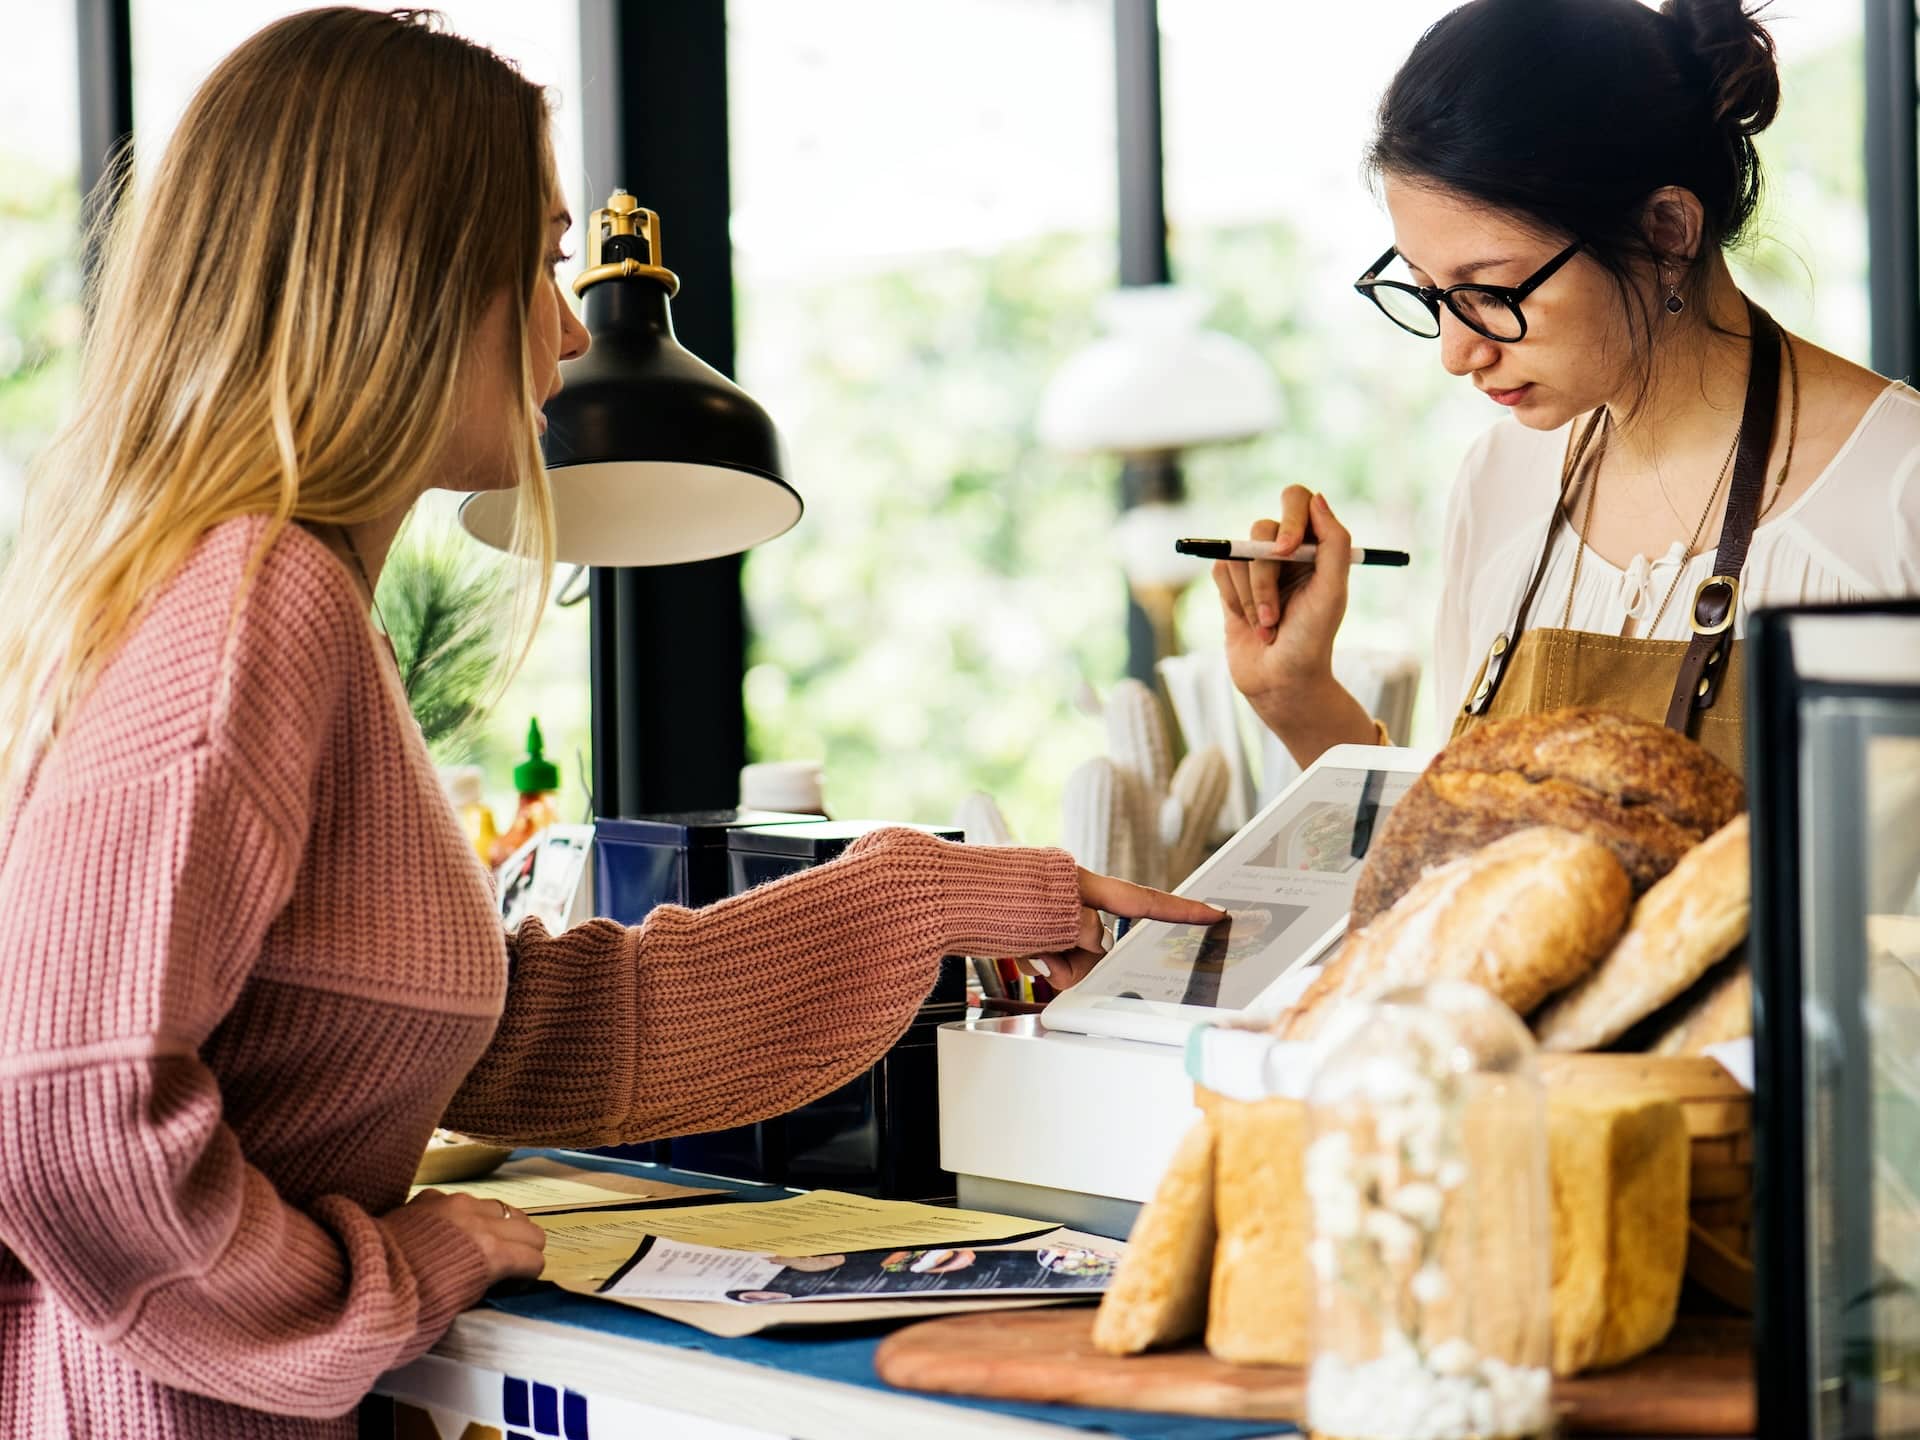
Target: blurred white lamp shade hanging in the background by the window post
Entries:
(1159, 381)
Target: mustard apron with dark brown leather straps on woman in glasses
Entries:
(1694, 686)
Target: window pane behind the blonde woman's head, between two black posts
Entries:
(174, 51)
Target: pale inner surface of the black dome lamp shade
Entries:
(646, 512)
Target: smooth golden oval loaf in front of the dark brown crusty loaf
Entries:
(1522, 919)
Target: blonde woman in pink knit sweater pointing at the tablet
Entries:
(247, 959)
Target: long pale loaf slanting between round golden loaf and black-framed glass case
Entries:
(1691, 919)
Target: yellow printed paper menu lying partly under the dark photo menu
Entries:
(583, 1251)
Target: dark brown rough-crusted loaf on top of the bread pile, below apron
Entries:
(1644, 792)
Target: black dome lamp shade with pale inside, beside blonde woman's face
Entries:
(654, 456)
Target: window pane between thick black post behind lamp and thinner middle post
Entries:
(923, 224)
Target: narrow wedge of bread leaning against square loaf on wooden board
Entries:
(1161, 1289)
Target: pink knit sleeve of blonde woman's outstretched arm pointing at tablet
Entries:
(752, 1007)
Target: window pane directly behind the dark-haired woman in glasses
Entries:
(1268, 110)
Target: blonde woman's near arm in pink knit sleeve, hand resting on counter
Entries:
(135, 896)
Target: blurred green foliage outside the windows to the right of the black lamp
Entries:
(930, 623)
